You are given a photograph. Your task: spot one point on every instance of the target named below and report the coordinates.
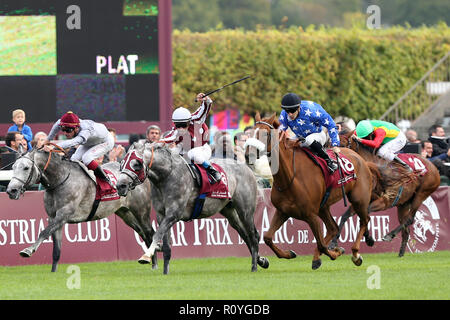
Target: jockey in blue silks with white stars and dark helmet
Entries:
(306, 119)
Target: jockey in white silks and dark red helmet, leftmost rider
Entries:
(92, 138)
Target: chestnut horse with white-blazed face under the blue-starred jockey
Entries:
(299, 189)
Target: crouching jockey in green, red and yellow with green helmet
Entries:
(384, 135)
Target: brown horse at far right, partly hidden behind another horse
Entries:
(393, 186)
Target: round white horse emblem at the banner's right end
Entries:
(424, 235)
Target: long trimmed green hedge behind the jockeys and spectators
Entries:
(352, 72)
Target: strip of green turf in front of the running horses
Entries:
(415, 276)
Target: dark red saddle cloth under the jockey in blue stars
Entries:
(334, 180)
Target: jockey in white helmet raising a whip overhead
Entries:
(193, 127)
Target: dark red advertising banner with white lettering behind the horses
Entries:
(109, 239)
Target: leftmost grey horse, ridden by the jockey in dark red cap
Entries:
(69, 197)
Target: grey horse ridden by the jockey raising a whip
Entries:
(174, 192)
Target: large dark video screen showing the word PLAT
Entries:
(97, 58)
